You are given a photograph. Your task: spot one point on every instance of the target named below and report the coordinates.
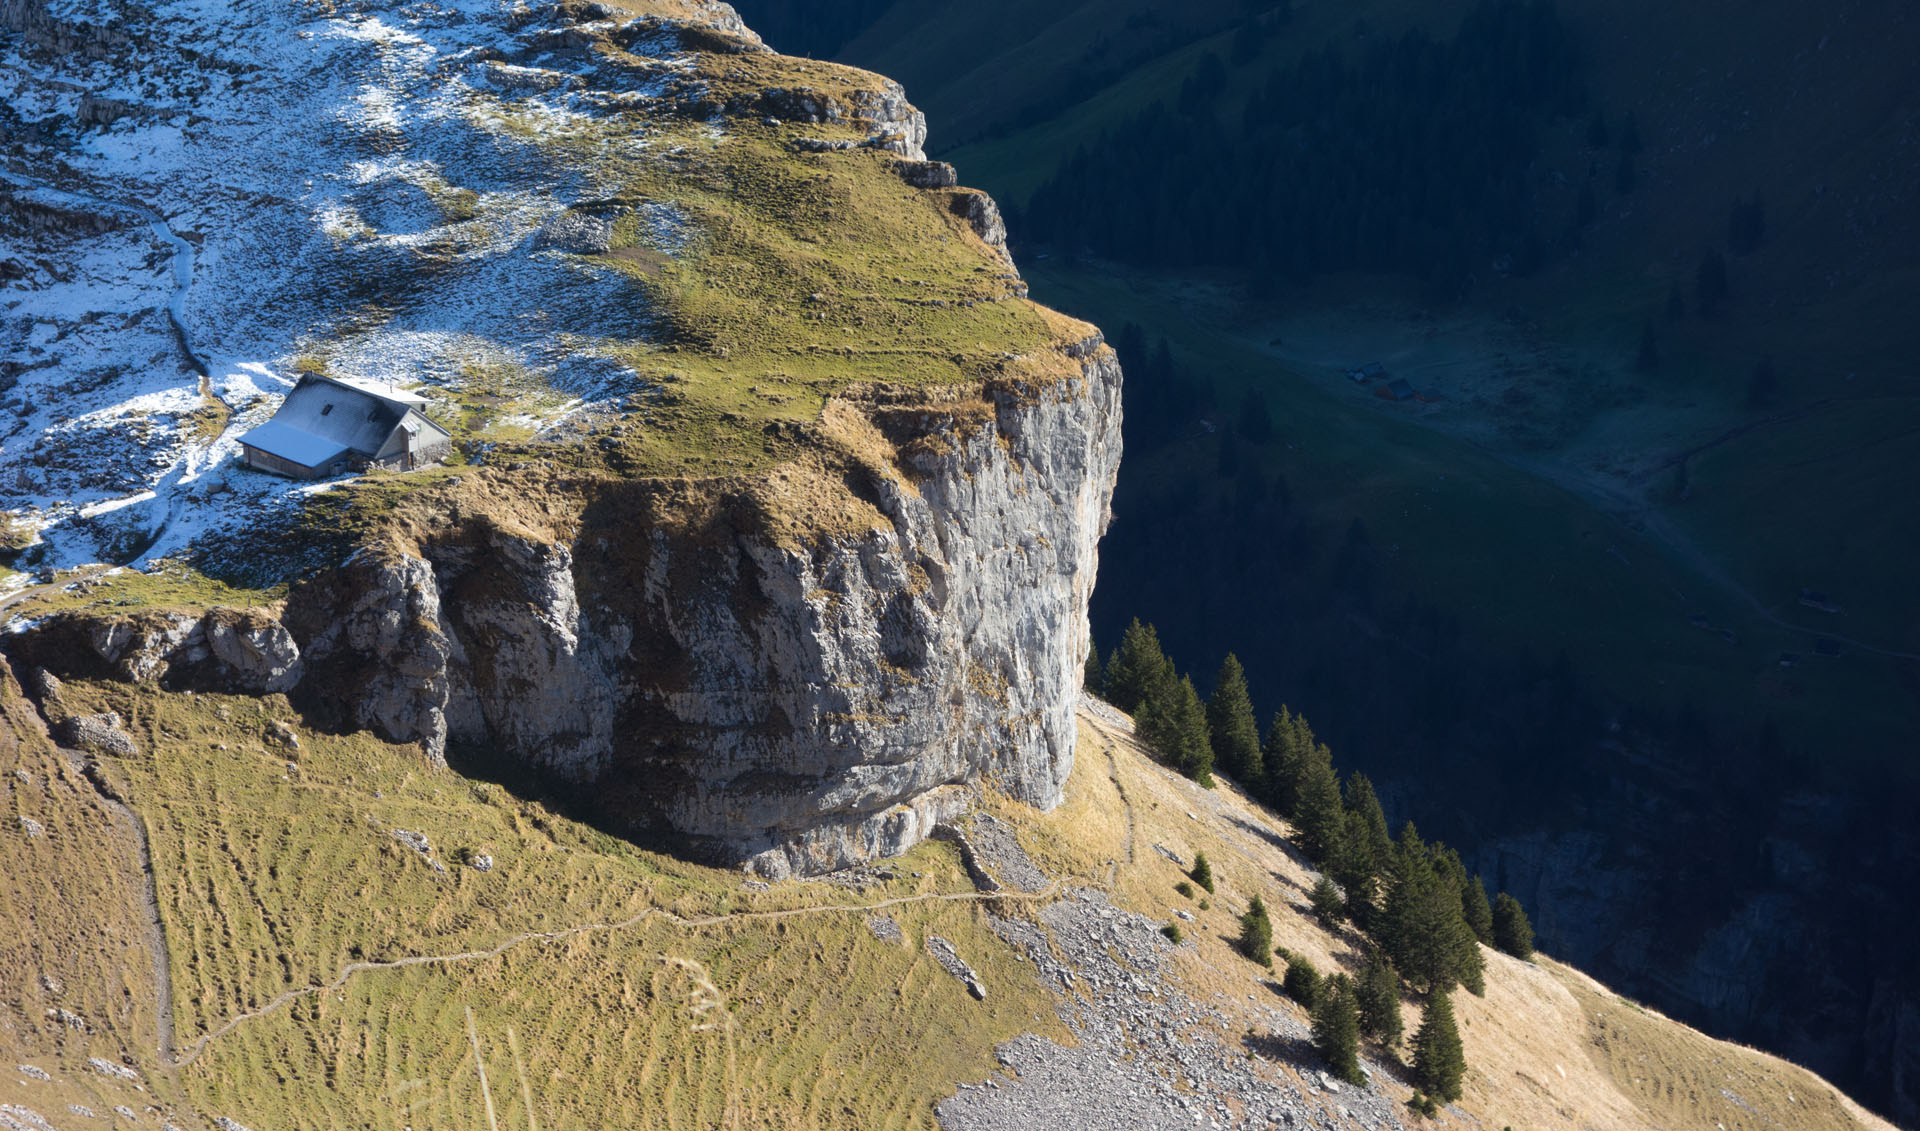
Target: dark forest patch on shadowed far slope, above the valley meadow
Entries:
(1408, 158)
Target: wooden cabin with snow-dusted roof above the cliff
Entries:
(331, 427)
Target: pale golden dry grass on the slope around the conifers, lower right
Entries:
(1547, 1047)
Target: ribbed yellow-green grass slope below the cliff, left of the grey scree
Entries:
(325, 973)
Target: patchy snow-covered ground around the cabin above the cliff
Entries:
(368, 189)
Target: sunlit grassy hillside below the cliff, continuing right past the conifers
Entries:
(239, 919)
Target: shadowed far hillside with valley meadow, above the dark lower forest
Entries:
(1735, 462)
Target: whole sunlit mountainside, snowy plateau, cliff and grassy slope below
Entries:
(773, 546)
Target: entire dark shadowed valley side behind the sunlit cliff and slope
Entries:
(1652, 397)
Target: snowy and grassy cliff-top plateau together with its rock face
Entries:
(777, 504)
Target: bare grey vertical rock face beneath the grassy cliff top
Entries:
(771, 694)
